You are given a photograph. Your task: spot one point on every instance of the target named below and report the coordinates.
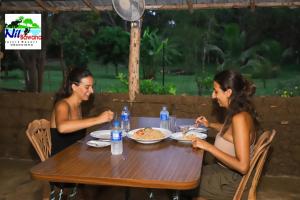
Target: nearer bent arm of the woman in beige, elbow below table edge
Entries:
(241, 127)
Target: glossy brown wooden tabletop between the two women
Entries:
(168, 164)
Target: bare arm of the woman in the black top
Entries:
(66, 125)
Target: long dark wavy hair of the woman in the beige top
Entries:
(240, 99)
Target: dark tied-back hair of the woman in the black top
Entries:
(74, 77)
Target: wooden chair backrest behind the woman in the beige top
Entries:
(256, 165)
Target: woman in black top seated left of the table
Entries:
(67, 124)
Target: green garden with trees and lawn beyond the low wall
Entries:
(180, 51)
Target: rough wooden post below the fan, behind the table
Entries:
(134, 60)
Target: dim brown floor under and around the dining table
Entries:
(16, 184)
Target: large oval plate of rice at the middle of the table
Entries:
(148, 135)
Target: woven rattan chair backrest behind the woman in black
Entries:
(38, 132)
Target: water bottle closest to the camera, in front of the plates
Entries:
(116, 143)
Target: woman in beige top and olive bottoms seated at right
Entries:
(235, 140)
